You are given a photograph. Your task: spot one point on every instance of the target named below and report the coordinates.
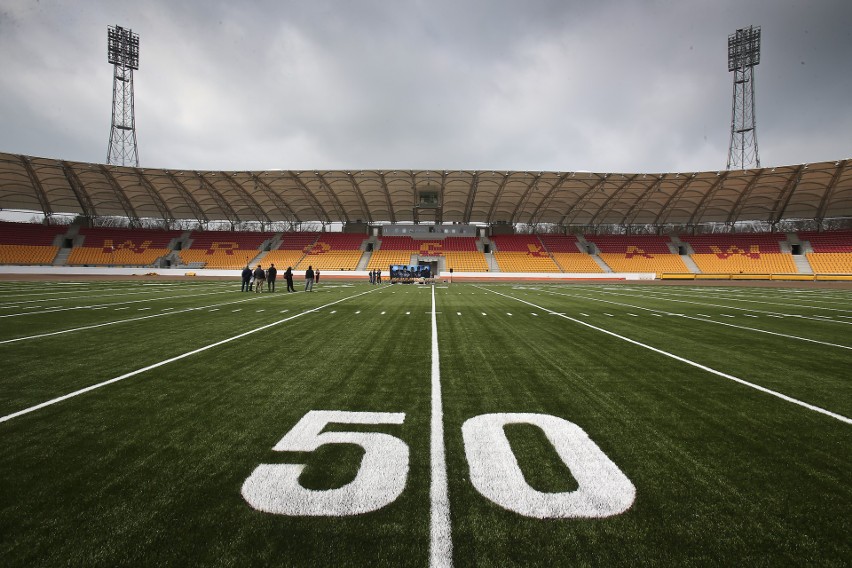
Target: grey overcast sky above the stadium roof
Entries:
(561, 85)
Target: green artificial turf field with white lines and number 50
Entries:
(144, 423)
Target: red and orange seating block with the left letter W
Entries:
(114, 246)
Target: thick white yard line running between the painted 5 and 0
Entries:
(440, 537)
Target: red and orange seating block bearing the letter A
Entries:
(638, 253)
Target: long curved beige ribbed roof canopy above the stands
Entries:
(806, 191)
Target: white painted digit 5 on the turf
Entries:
(275, 488)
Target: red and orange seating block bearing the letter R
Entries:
(230, 250)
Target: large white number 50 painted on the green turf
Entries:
(603, 490)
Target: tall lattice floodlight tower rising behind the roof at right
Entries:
(743, 55)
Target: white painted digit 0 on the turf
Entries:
(494, 471)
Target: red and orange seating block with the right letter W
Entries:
(742, 253)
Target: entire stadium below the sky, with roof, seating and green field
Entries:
(558, 367)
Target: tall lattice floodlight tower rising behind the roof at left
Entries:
(123, 53)
